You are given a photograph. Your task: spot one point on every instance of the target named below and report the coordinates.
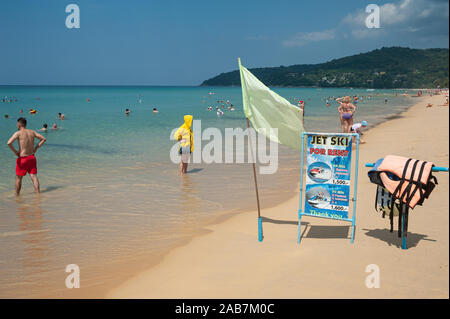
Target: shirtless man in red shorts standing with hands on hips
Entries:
(26, 161)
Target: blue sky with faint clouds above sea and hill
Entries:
(156, 42)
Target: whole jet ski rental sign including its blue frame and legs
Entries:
(328, 177)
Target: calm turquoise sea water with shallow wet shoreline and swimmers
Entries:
(108, 186)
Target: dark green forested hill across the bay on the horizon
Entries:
(393, 67)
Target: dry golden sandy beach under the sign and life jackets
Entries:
(227, 261)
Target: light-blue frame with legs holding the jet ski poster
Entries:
(301, 211)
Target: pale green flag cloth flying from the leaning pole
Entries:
(265, 109)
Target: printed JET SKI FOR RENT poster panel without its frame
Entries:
(328, 172)
